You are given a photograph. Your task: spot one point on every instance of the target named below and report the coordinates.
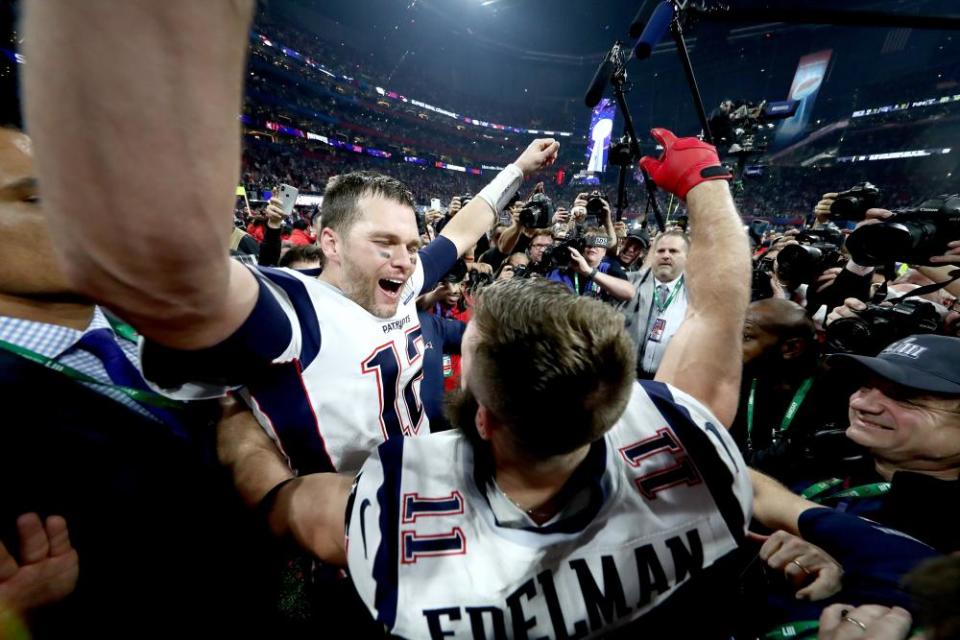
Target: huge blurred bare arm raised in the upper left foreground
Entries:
(133, 109)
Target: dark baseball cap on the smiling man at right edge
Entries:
(925, 362)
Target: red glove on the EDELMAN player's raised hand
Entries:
(685, 163)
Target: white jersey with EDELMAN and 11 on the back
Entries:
(670, 497)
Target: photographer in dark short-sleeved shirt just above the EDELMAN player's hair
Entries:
(592, 273)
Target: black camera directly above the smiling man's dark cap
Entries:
(879, 325)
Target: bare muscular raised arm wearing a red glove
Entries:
(704, 358)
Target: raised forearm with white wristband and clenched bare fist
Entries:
(471, 222)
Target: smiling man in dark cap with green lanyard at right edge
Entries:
(906, 414)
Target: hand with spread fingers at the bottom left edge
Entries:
(48, 566)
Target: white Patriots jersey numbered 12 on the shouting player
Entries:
(346, 380)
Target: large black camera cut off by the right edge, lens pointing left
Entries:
(910, 235)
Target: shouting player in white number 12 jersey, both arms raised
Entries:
(331, 367)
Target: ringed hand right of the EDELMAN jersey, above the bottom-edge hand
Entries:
(811, 569)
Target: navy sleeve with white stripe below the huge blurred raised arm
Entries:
(282, 326)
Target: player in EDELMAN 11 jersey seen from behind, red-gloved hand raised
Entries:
(573, 501)
